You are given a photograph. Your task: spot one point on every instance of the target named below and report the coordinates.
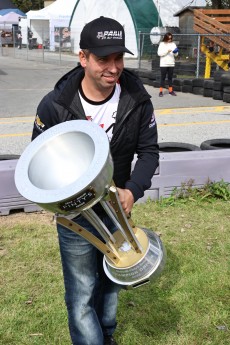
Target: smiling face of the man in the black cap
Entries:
(102, 72)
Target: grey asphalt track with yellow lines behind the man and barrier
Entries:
(186, 118)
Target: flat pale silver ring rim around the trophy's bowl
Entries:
(46, 196)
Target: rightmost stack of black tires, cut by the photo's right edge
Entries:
(221, 86)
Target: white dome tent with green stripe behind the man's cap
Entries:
(134, 16)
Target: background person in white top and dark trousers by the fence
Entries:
(167, 51)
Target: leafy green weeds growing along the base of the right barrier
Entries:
(209, 192)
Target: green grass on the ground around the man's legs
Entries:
(187, 305)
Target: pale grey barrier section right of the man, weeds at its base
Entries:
(180, 168)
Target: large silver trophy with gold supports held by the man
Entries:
(67, 170)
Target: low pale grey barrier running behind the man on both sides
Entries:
(175, 169)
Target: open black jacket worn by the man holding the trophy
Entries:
(135, 130)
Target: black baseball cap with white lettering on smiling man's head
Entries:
(103, 36)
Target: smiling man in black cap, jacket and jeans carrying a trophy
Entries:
(100, 90)
